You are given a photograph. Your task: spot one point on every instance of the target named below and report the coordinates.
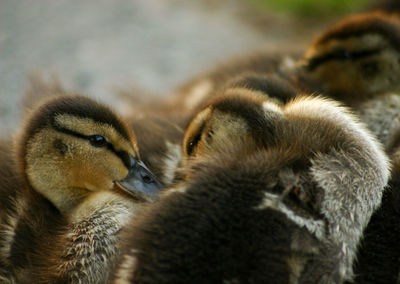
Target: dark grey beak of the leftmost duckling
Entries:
(140, 180)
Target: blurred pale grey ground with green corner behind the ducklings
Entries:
(97, 47)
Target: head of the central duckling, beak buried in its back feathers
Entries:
(240, 114)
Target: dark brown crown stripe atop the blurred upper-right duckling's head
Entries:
(359, 25)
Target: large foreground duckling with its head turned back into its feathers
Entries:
(274, 193)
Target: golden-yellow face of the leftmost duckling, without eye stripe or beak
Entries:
(63, 166)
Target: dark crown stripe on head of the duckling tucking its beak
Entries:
(261, 127)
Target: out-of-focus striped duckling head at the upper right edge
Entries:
(358, 57)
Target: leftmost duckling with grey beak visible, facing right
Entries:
(76, 161)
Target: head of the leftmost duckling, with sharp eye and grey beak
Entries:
(72, 146)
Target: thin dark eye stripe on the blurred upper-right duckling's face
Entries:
(340, 55)
